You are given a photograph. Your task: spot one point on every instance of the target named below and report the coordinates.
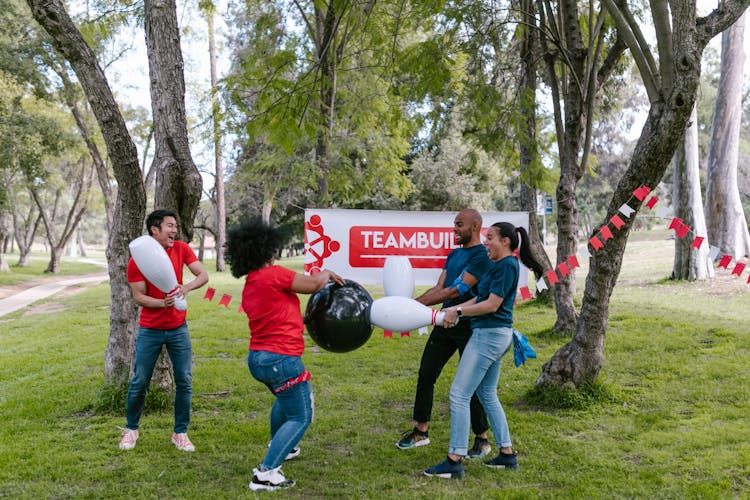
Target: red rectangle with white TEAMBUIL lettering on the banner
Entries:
(426, 247)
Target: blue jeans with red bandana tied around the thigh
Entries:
(292, 412)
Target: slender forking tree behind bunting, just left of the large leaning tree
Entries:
(580, 53)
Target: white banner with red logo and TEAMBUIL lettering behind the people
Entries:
(355, 243)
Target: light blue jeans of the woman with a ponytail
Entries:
(479, 370)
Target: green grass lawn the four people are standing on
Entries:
(667, 417)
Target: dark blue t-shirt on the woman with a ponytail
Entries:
(502, 280)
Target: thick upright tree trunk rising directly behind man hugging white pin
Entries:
(178, 181)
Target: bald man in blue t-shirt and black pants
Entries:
(457, 283)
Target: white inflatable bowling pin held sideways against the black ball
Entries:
(403, 314)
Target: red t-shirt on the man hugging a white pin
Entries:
(163, 318)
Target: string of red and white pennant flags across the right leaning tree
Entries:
(615, 223)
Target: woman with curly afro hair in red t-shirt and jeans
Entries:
(269, 298)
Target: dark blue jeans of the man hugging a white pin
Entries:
(147, 350)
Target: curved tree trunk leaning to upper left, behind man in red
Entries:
(131, 196)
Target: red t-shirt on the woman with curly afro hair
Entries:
(273, 311)
